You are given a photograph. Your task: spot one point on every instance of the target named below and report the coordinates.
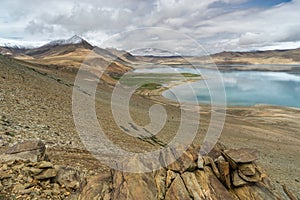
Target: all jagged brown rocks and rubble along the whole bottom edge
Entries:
(27, 173)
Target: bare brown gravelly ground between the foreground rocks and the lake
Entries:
(38, 105)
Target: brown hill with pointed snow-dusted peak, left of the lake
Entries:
(70, 54)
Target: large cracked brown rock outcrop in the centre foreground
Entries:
(223, 174)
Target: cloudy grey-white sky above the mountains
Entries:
(215, 25)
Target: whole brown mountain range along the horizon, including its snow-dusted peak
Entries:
(69, 54)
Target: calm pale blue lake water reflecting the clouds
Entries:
(242, 88)
